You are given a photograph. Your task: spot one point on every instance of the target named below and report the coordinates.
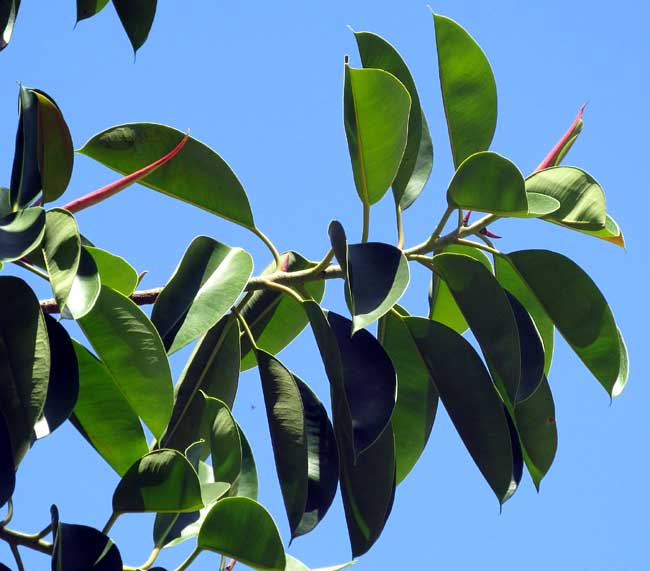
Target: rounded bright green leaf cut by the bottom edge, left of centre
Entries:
(242, 529)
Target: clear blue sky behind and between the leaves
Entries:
(261, 83)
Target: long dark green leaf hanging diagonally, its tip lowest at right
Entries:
(469, 396)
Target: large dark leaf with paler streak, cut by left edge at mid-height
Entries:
(24, 362)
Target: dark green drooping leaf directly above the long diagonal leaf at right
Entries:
(493, 324)
